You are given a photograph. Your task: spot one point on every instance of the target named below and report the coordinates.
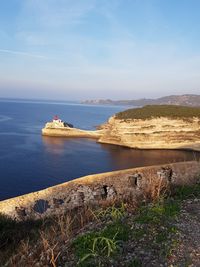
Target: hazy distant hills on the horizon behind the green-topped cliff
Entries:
(184, 100)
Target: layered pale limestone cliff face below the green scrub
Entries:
(153, 133)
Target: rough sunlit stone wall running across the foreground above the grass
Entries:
(92, 189)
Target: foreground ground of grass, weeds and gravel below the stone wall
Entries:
(113, 236)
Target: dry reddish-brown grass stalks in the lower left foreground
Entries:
(54, 240)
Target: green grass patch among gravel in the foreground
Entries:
(155, 225)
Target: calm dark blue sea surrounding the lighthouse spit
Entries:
(30, 162)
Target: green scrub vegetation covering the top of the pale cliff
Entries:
(150, 111)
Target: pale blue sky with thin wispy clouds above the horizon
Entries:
(88, 49)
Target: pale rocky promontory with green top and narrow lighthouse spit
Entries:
(149, 127)
